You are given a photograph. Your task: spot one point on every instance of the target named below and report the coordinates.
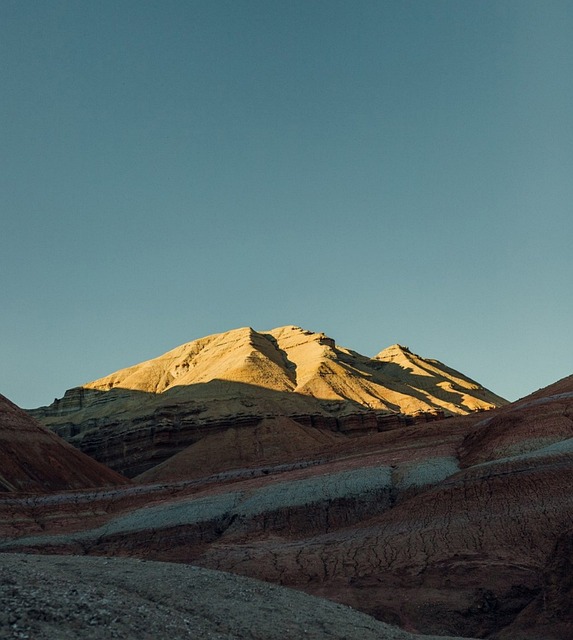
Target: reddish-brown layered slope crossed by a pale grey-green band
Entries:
(461, 526)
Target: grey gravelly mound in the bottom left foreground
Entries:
(68, 598)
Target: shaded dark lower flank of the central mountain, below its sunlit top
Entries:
(132, 431)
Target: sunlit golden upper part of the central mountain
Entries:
(291, 359)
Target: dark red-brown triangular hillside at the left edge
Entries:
(33, 459)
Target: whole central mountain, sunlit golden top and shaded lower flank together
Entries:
(140, 416)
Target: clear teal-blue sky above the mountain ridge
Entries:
(384, 171)
